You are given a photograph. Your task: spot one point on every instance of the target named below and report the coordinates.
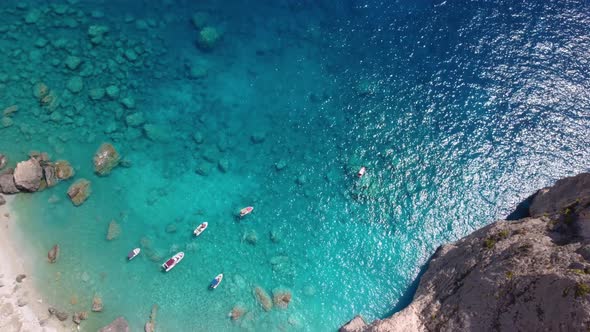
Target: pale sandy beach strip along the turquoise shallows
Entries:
(21, 306)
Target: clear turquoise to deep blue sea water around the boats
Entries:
(458, 109)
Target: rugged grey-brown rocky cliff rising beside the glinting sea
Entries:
(530, 275)
